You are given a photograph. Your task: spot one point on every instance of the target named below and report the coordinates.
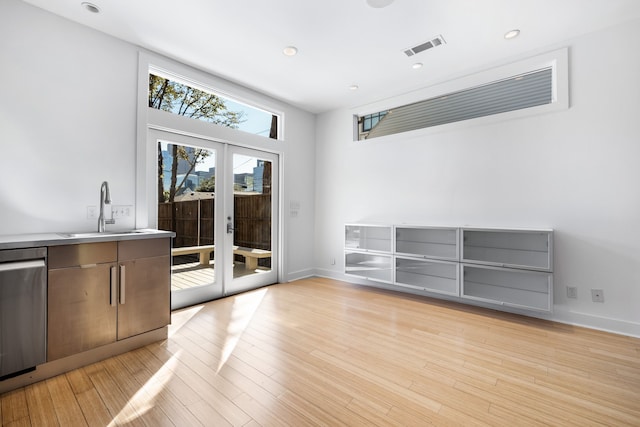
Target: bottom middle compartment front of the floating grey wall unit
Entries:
(429, 275)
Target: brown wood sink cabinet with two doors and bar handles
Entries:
(102, 292)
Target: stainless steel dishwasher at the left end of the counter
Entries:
(23, 310)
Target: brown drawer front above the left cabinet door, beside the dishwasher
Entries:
(82, 254)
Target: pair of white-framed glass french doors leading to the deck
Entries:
(221, 201)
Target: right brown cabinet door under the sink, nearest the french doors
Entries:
(145, 286)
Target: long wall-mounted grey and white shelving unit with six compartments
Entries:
(503, 267)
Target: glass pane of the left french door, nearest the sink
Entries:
(186, 206)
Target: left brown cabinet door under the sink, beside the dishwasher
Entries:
(81, 309)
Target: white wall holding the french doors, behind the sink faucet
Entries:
(68, 121)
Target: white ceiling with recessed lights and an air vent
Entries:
(343, 42)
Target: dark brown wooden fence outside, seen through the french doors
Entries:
(193, 221)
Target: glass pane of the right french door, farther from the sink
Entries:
(252, 199)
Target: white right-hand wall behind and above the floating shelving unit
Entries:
(575, 171)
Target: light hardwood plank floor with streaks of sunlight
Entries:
(323, 352)
